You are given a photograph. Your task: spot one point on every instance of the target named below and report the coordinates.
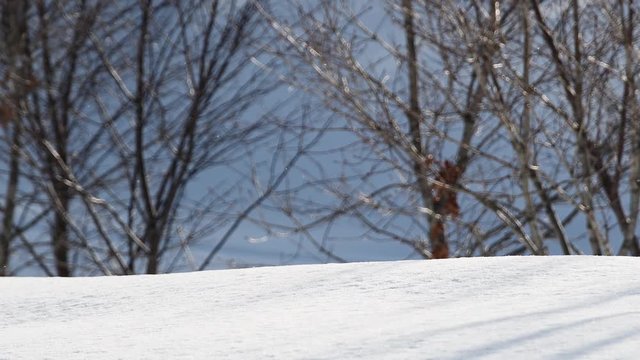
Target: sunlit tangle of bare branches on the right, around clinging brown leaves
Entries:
(474, 127)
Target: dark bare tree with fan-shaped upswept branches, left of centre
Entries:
(204, 130)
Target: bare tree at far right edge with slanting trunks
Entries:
(596, 76)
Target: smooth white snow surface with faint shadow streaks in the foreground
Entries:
(516, 307)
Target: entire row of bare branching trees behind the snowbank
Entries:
(452, 127)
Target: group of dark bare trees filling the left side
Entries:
(110, 110)
